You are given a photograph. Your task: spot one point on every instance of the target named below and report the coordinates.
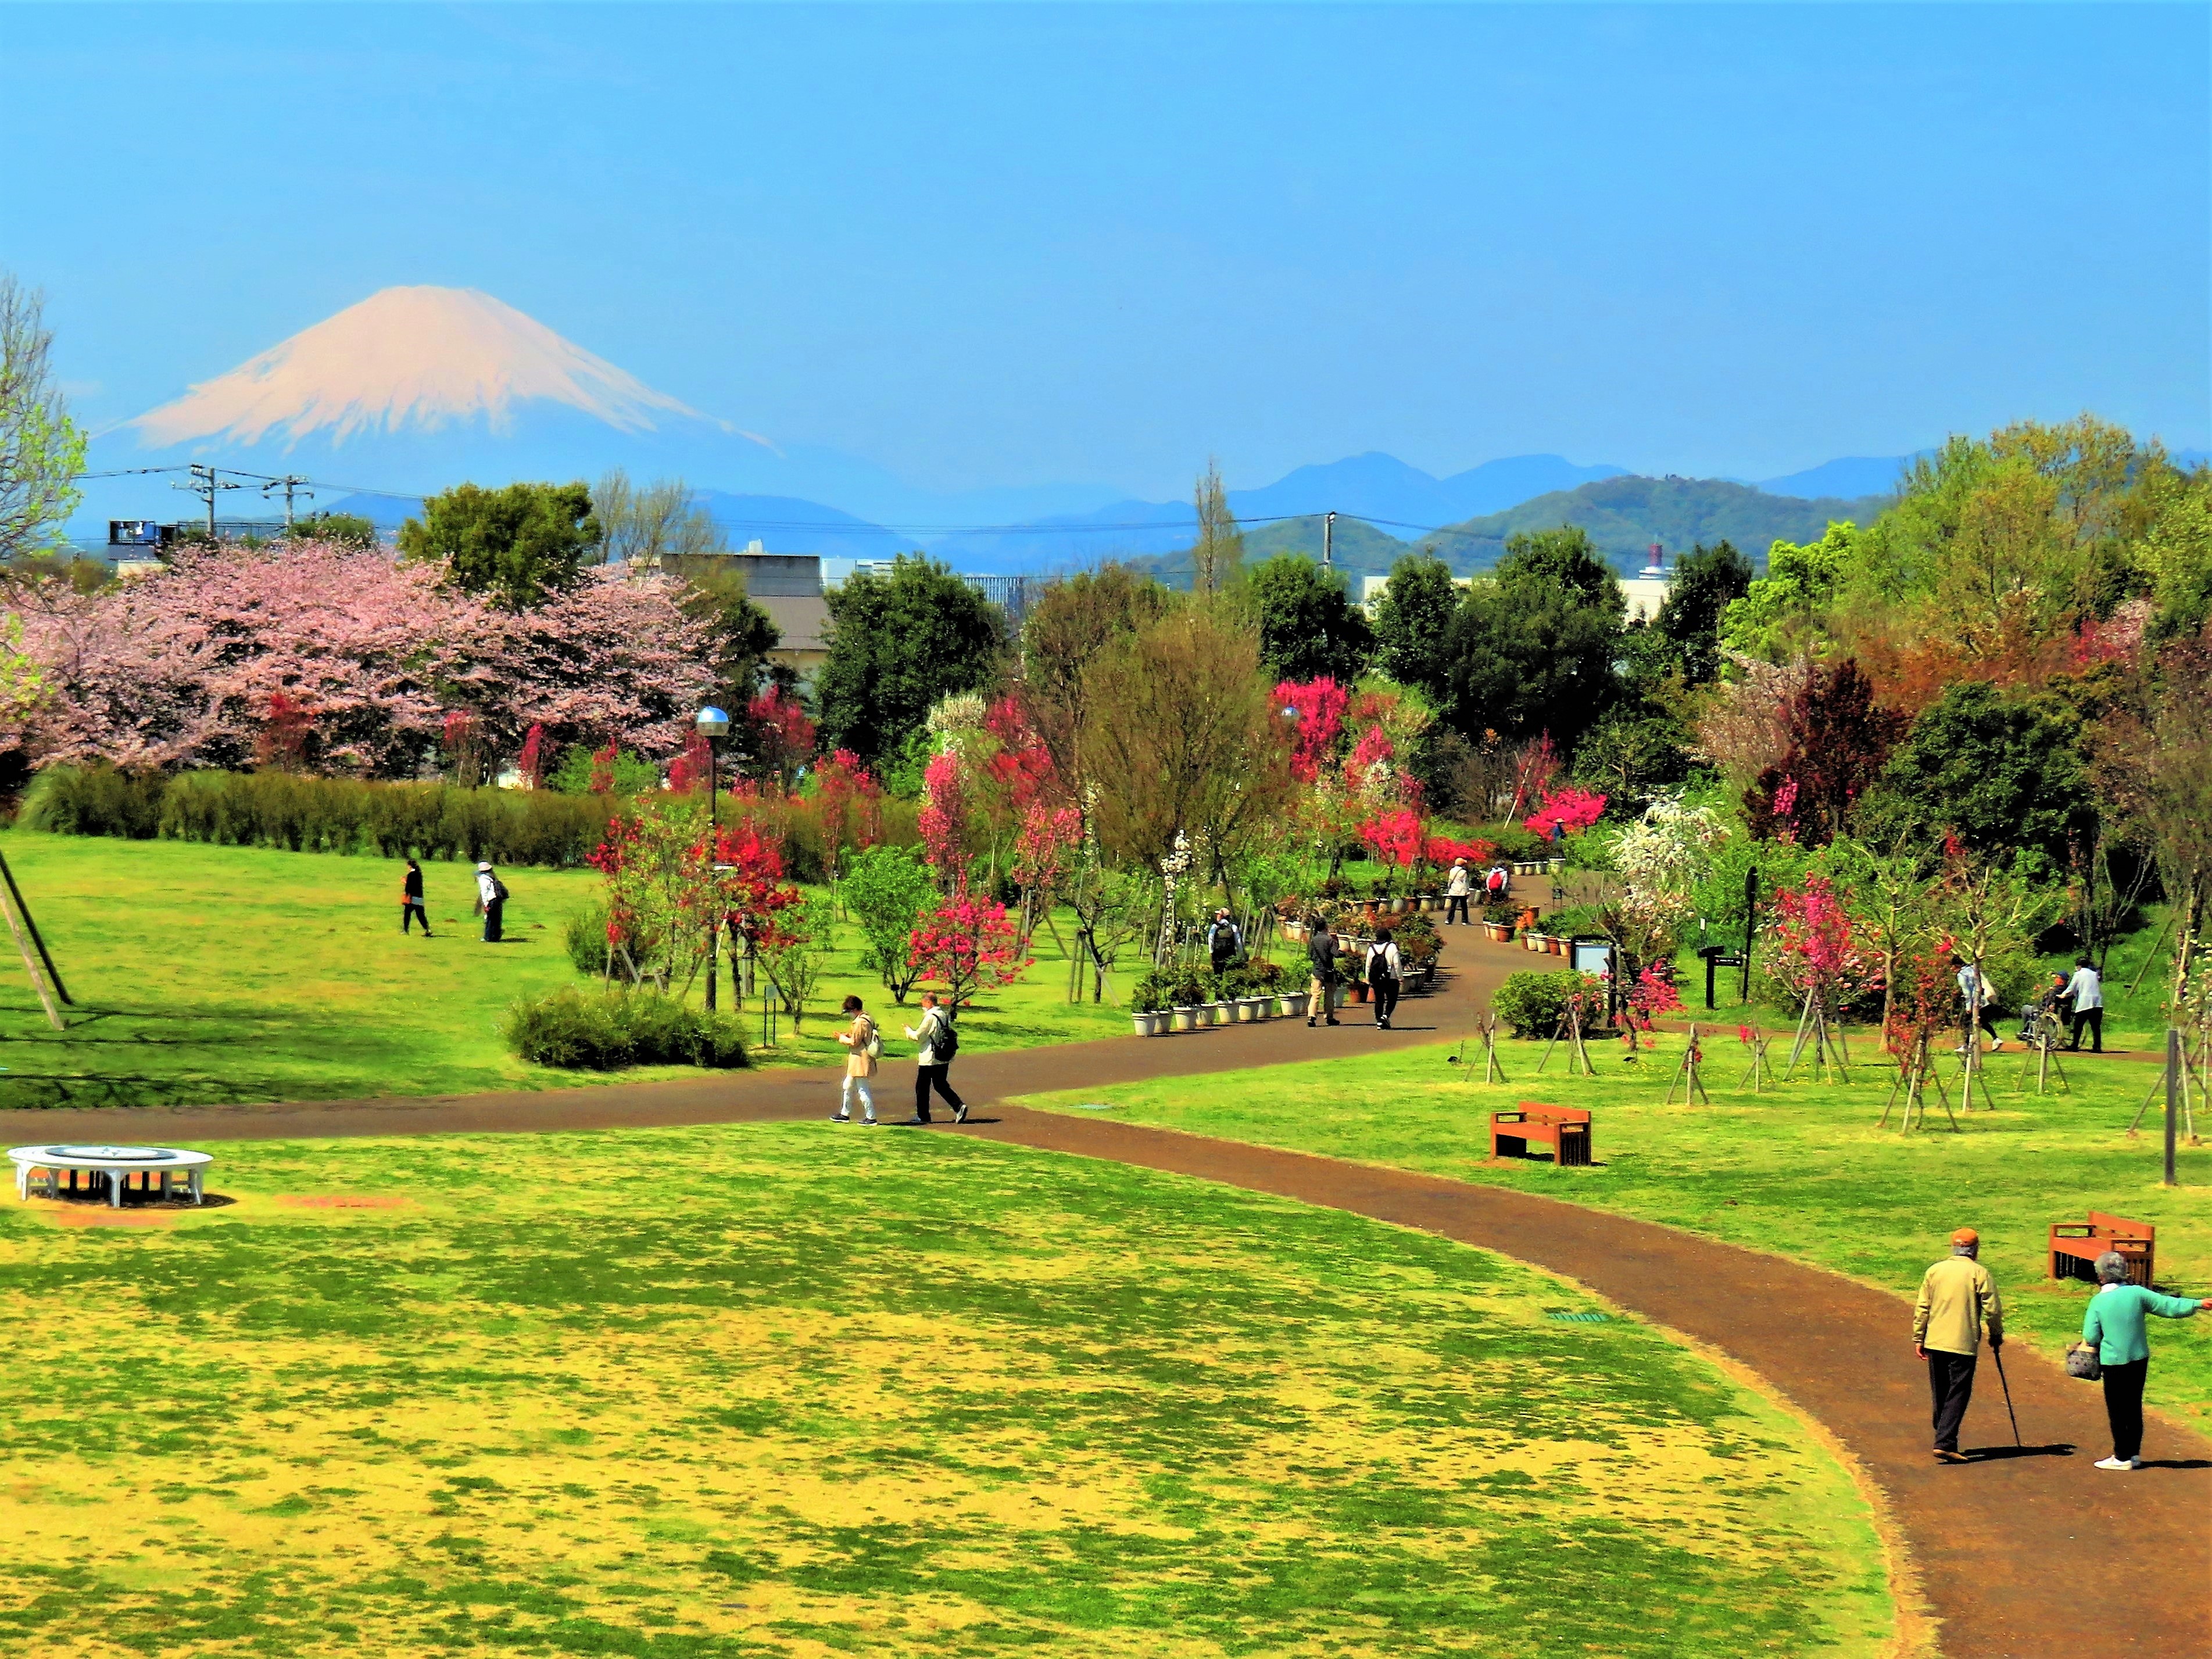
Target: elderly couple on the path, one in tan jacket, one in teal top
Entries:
(1959, 1302)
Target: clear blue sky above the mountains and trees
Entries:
(1001, 247)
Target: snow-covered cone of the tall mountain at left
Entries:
(408, 359)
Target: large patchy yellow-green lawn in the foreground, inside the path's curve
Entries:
(806, 1392)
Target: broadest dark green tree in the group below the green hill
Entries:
(1534, 649)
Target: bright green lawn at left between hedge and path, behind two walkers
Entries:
(240, 974)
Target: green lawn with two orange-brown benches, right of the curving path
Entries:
(1799, 1171)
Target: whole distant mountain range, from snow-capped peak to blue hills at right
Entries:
(421, 388)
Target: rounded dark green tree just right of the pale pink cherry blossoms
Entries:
(897, 645)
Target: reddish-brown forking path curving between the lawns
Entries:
(2018, 1556)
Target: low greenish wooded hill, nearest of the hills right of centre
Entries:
(1625, 517)
